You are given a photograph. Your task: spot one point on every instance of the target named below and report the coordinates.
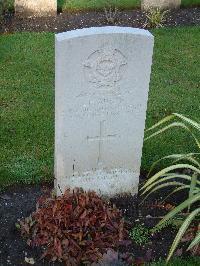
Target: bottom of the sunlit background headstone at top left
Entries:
(35, 7)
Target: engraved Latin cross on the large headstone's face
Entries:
(101, 138)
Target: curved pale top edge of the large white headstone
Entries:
(101, 30)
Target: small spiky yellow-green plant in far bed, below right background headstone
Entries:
(155, 18)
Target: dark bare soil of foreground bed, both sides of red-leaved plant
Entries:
(19, 201)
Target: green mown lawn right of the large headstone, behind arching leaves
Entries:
(174, 87)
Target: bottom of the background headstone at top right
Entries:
(162, 4)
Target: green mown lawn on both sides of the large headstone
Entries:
(27, 100)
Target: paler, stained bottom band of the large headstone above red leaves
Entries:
(106, 183)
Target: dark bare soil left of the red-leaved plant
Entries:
(16, 203)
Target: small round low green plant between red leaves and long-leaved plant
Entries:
(140, 234)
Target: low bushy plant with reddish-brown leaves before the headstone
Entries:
(76, 227)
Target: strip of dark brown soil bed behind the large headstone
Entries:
(69, 21)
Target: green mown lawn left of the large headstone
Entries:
(26, 83)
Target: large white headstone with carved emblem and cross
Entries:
(102, 82)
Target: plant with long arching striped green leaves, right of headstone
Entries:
(169, 177)
